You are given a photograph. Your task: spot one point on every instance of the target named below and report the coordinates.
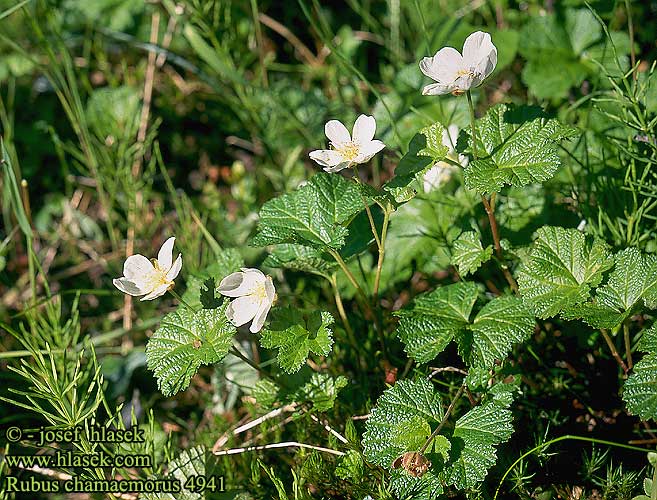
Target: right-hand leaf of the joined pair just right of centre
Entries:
(502, 322)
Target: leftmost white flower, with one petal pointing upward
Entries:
(150, 279)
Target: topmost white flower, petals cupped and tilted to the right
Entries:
(457, 73)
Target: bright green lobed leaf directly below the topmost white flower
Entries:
(516, 146)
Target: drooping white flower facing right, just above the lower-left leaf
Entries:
(255, 295)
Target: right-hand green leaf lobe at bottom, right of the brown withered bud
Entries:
(473, 444)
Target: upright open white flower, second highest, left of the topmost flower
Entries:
(346, 149)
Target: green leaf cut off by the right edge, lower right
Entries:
(640, 389)
